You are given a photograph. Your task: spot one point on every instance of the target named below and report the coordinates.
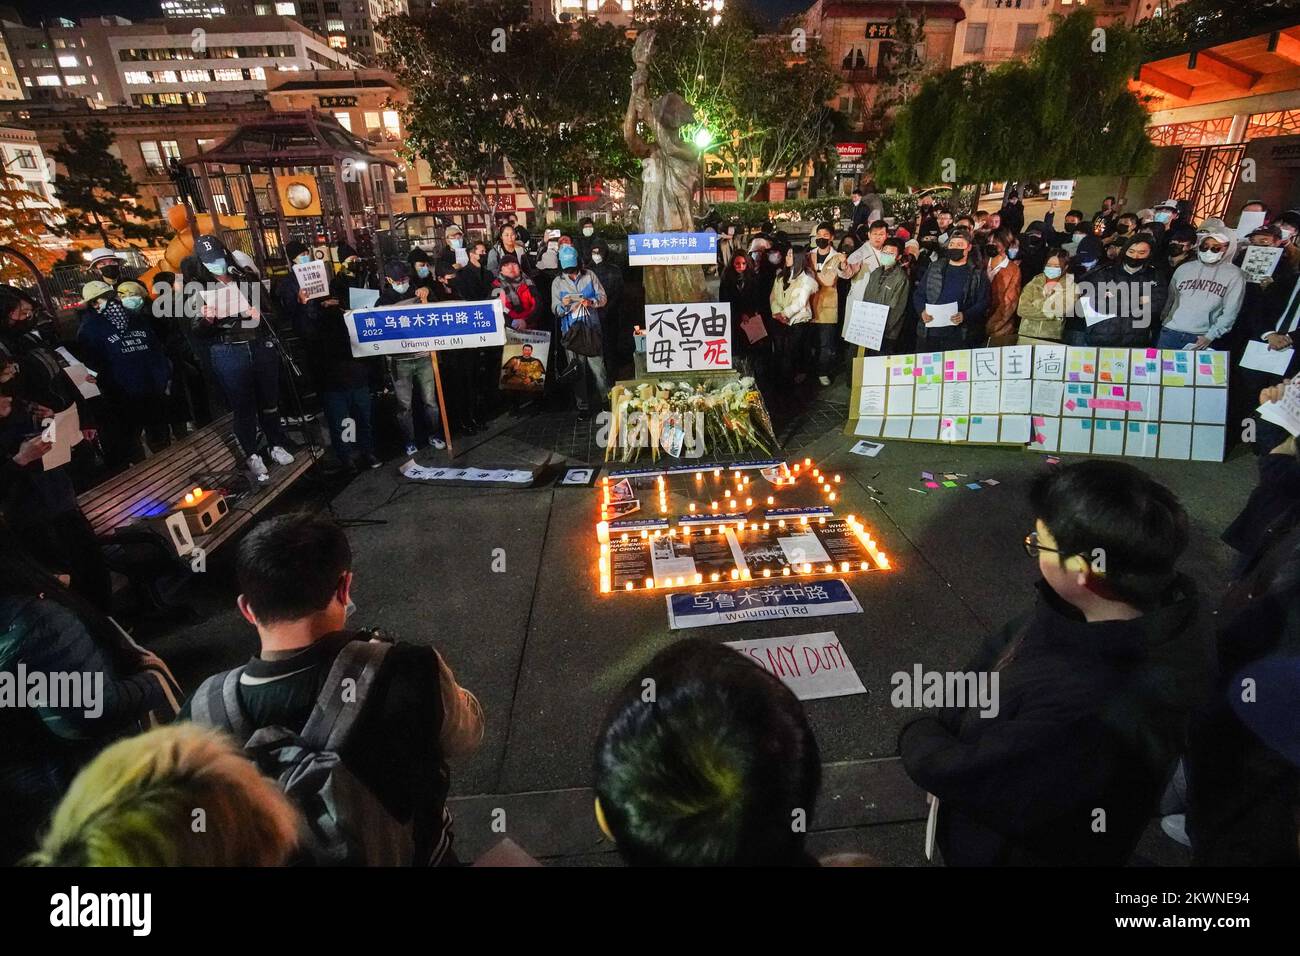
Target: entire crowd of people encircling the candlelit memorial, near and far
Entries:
(1111, 695)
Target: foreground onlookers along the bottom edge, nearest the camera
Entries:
(1113, 703)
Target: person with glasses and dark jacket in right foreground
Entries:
(1097, 685)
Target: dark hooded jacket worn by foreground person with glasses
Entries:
(1090, 716)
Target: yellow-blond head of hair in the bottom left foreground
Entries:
(176, 797)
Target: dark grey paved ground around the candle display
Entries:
(545, 651)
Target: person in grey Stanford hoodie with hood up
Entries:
(1206, 295)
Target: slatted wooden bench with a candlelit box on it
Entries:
(206, 458)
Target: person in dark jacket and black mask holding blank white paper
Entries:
(956, 280)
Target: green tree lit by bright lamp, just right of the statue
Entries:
(762, 97)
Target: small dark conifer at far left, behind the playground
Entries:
(97, 191)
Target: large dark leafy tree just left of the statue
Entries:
(488, 86)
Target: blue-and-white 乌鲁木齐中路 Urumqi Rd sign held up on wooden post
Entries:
(434, 327)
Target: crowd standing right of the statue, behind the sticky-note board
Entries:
(1147, 278)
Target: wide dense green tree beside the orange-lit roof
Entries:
(1067, 111)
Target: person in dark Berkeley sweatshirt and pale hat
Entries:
(135, 374)
